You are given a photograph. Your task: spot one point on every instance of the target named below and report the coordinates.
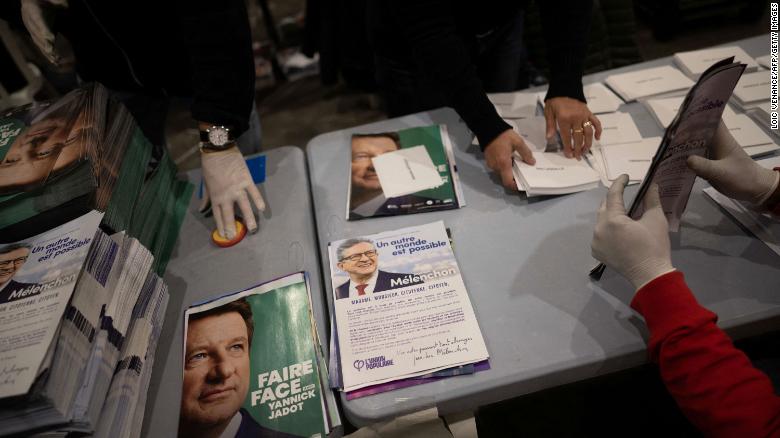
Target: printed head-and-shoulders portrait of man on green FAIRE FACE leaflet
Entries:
(216, 375)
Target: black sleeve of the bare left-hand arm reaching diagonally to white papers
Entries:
(441, 55)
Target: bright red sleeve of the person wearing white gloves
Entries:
(714, 383)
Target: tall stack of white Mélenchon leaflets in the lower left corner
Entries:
(92, 330)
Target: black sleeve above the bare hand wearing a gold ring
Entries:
(566, 25)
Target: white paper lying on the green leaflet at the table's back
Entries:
(406, 171)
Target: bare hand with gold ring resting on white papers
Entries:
(571, 115)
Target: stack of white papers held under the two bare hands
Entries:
(553, 174)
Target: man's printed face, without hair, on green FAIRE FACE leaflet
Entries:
(216, 369)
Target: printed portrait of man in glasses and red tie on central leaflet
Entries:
(360, 259)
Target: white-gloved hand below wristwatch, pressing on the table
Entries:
(228, 181)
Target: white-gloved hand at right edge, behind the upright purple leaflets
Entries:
(732, 172)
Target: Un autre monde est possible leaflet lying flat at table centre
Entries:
(401, 307)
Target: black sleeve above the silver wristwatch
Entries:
(217, 36)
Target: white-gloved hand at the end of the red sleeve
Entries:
(638, 250)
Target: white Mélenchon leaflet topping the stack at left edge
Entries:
(37, 278)
